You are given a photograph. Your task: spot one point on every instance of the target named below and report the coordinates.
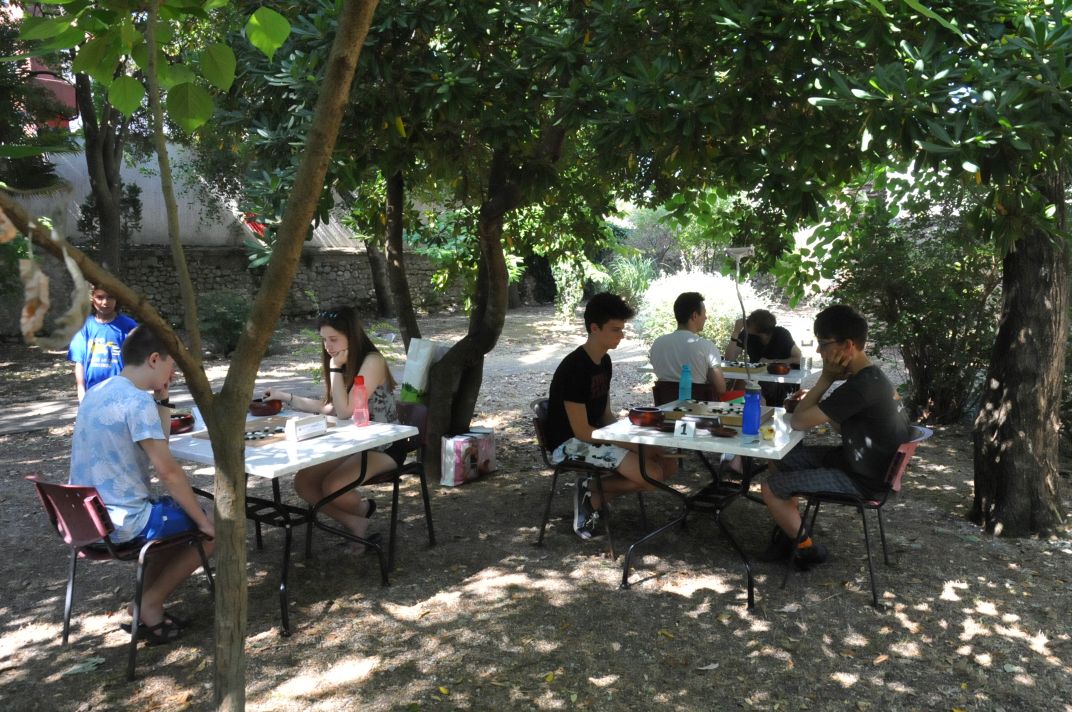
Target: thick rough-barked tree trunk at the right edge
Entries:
(1018, 427)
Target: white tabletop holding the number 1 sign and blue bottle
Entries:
(785, 439)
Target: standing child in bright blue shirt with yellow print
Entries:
(96, 350)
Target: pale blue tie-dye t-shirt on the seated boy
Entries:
(106, 454)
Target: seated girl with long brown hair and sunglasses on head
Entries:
(347, 352)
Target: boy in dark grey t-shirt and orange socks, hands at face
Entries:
(866, 410)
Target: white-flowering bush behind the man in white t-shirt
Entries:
(656, 316)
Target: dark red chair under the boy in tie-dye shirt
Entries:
(80, 517)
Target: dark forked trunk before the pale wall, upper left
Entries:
(105, 151)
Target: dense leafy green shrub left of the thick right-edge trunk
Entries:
(930, 284)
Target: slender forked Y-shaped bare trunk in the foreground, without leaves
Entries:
(226, 413)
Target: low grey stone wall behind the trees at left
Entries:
(325, 278)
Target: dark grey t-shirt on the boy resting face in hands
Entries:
(873, 422)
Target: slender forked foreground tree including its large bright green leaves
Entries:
(225, 412)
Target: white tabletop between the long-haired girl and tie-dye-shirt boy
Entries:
(286, 458)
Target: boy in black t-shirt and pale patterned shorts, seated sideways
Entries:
(579, 404)
